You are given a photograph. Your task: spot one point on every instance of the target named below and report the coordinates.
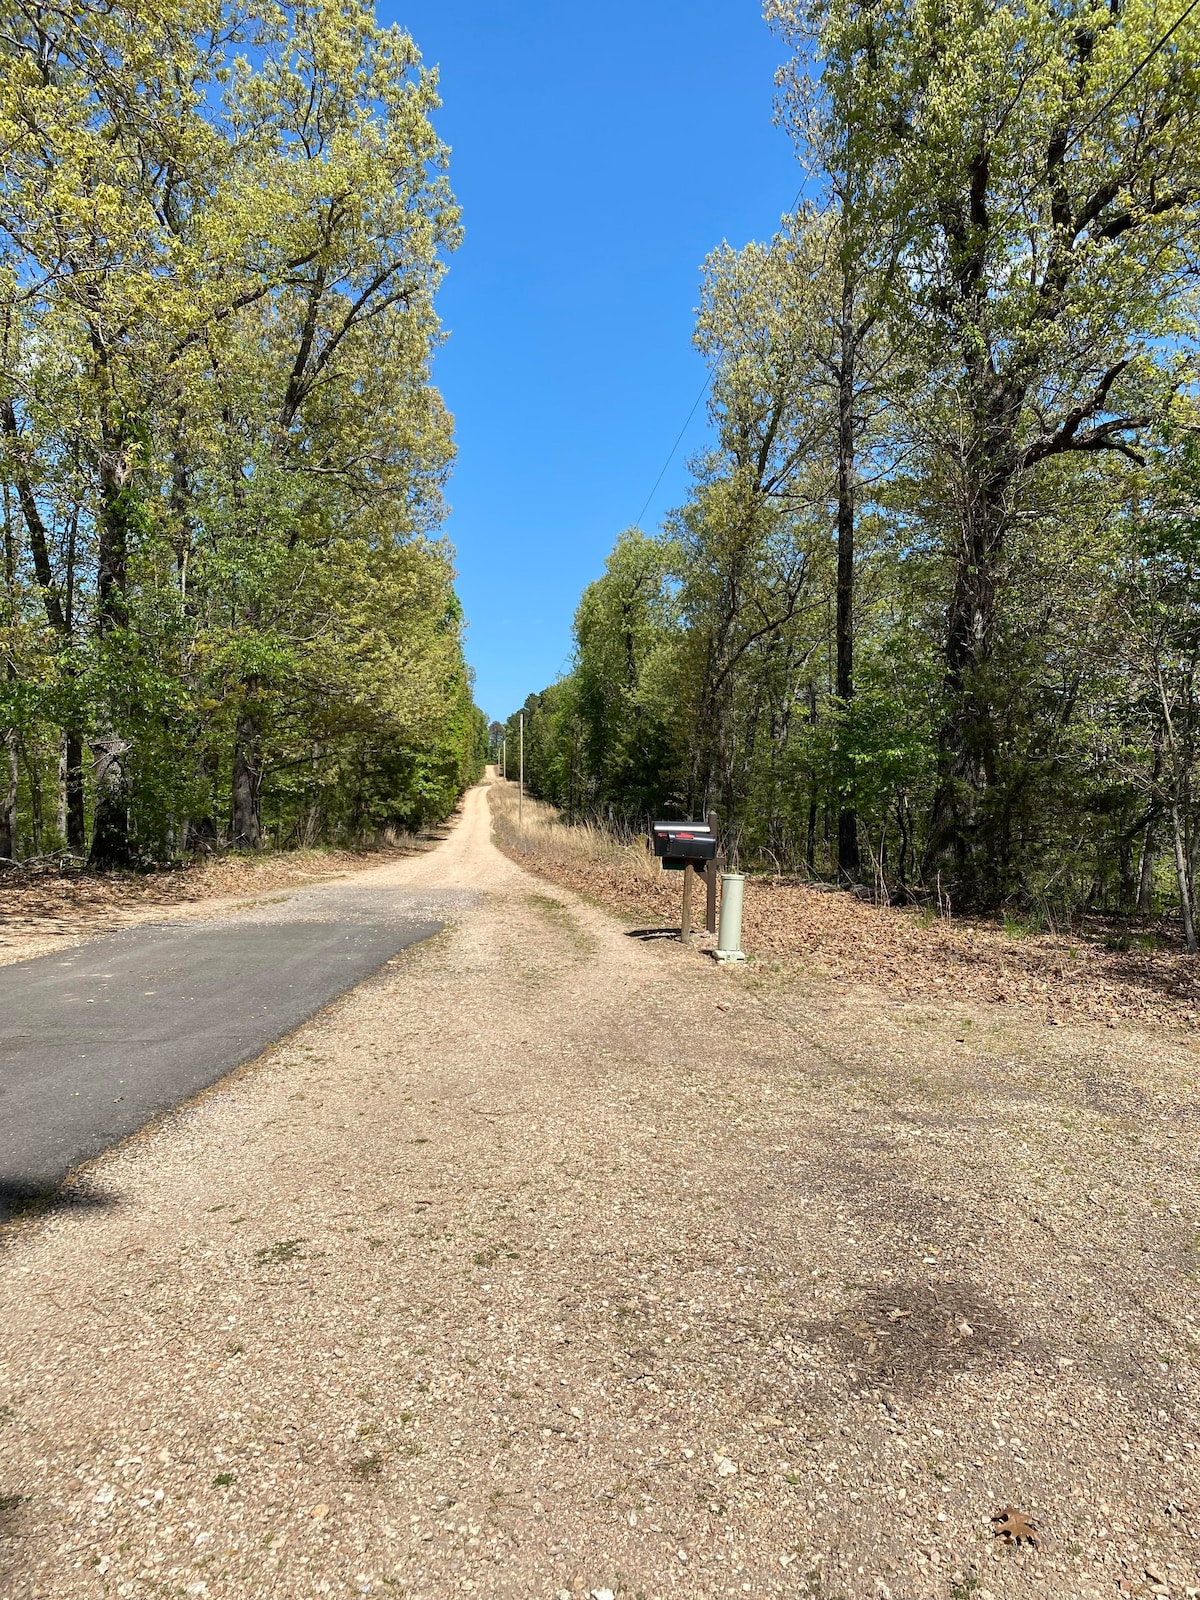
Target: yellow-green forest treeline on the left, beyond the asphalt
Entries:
(228, 617)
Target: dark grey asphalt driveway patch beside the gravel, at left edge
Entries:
(98, 1039)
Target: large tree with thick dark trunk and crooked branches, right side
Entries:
(1047, 177)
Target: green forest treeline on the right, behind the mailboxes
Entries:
(930, 615)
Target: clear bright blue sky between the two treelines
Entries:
(599, 153)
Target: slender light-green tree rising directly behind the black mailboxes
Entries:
(750, 538)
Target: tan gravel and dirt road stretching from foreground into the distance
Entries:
(551, 1262)
